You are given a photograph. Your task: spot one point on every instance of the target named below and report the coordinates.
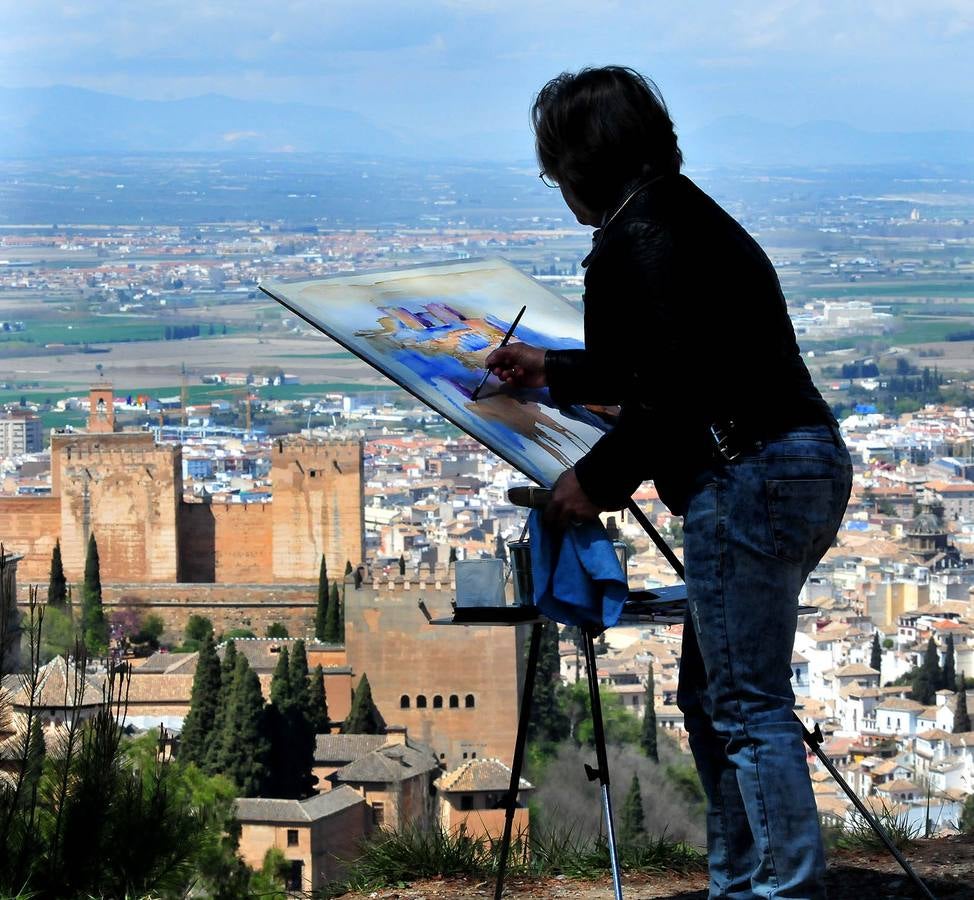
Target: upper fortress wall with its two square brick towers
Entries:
(128, 491)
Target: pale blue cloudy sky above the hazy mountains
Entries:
(445, 65)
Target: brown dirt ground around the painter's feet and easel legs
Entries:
(946, 865)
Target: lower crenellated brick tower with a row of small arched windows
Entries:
(388, 638)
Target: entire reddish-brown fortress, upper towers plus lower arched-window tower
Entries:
(247, 565)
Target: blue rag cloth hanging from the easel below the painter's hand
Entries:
(578, 579)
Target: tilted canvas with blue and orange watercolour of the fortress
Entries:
(430, 328)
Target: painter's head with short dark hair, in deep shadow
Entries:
(597, 129)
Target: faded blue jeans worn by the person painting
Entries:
(754, 529)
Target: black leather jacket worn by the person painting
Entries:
(685, 326)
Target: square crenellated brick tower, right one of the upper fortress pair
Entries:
(317, 507)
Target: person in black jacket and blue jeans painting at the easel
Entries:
(686, 328)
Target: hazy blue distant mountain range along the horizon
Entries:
(68, 120)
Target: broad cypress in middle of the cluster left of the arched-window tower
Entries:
(245, 746)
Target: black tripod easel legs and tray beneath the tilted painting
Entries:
(661, 605)
